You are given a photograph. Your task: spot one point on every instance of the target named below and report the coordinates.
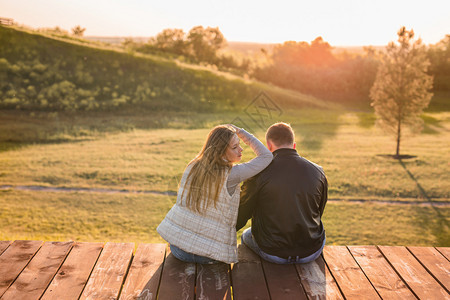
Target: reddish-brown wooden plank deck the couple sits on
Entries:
(70, 270)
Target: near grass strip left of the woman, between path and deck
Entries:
(81, 216)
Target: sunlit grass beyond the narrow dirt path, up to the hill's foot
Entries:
(128, 153)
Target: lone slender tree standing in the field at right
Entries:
(401, 88)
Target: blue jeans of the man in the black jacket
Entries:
(248, 239)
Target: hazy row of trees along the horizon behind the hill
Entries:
(312, 68)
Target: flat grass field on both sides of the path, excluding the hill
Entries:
(149, 152)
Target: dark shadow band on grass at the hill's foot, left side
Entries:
(21, 129)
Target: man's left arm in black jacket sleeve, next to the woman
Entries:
(249, 191)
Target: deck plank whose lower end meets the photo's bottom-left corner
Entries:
(35, 278)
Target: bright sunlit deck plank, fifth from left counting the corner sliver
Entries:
(109, 272)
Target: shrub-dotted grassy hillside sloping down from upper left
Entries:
(47, 74)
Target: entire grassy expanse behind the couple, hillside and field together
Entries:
(99, 118)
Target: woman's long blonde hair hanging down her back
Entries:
(207, 175)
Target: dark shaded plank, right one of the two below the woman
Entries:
(213, 282)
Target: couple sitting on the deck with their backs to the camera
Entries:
(283, 193)
